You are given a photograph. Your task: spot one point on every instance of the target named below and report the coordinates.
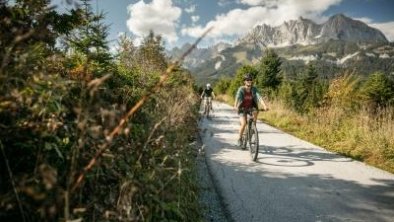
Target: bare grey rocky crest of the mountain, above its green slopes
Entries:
(306, 32)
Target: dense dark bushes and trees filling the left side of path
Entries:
(88, 135)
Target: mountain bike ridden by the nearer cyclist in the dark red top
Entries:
(250, 137)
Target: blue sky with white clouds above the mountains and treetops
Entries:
(181, 21)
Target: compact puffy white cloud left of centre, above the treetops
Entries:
(159, 15)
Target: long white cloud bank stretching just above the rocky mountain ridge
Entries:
(273, 12)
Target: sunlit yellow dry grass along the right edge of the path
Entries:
(355, 134)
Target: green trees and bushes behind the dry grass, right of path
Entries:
(308, 90)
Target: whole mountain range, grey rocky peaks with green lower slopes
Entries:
(340, 42)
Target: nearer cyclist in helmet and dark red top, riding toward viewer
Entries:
(247, 97)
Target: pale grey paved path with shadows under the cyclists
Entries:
(292, 180)
